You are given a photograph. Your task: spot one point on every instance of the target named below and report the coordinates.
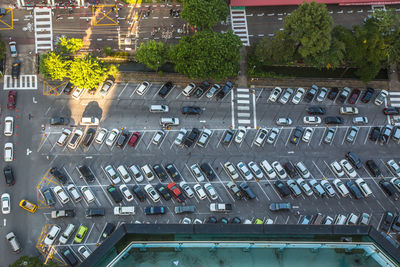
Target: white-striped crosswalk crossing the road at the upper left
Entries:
(43, 29)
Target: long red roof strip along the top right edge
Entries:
(298, 2)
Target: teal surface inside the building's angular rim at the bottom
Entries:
(232, 257)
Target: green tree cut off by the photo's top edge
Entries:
(204, 14)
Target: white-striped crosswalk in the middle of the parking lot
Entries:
(243, 108)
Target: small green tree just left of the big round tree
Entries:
(153, 54)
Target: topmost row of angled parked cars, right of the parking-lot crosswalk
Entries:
(320, 94)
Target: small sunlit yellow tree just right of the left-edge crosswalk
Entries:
(53, 66)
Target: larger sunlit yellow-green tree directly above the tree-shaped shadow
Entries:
(88, 72)
